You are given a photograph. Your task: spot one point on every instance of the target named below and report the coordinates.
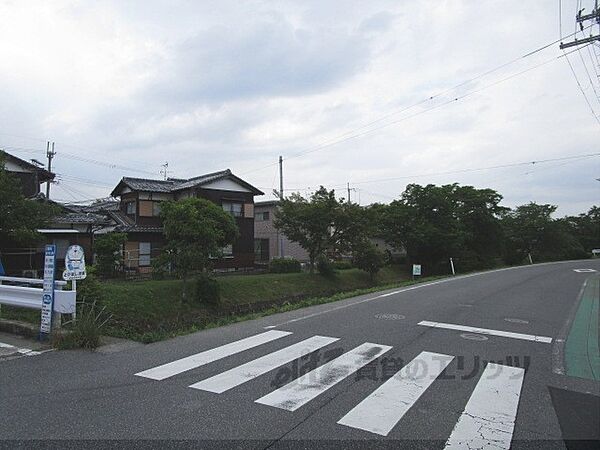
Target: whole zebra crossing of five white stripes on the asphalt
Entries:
(487, 420)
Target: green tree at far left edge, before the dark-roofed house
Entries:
(20, 218)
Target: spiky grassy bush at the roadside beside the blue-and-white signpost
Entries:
(85, 332)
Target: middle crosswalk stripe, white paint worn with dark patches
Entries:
(305, 388)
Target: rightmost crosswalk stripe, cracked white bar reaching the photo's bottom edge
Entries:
(489, 418)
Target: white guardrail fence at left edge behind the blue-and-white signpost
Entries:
(31, 297)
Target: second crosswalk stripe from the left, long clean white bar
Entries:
(246, 372)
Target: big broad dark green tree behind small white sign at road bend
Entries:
(434, 223)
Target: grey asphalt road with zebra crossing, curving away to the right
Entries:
(475, 360)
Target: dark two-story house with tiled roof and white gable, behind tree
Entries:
(139, 211)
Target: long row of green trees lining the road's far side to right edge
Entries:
(435, 223)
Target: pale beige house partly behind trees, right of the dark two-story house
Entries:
(268, 242)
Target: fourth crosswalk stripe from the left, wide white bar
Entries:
(382, 410)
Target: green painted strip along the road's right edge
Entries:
(582, 350)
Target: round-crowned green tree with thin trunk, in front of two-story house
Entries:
(196, 230)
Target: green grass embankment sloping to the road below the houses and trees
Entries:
(148, 311)
